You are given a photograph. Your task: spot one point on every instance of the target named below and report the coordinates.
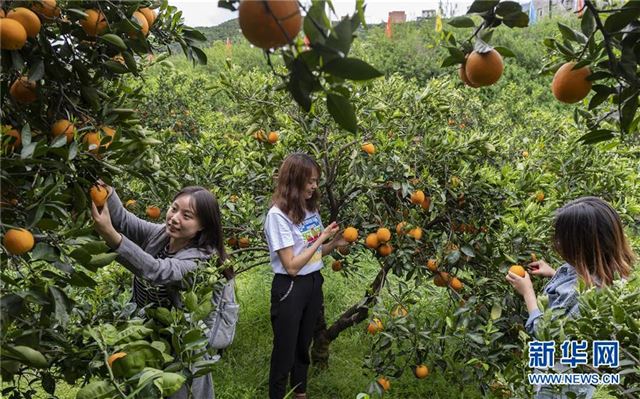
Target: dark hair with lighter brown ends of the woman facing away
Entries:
(589, 236)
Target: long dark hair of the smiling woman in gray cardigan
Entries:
(207, 211)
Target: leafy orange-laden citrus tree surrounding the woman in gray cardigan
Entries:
(70, 117)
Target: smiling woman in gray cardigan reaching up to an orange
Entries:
(161, 255)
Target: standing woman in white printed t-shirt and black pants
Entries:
(295, 236)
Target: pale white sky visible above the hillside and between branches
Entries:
(207, 13)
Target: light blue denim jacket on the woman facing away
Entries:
(562, 293)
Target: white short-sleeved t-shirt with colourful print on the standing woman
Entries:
(281, 233)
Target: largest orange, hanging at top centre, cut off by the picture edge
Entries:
(269, 23)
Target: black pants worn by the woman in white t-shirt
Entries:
(295, 306)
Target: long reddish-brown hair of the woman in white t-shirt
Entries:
(293, 176)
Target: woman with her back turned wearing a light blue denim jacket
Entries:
(590, 239)
